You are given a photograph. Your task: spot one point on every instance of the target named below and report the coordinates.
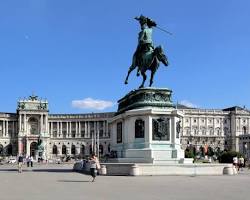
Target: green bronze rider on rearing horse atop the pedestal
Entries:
(146, 56)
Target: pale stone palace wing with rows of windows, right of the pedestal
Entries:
(215, 128)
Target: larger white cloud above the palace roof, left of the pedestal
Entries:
(89, 103)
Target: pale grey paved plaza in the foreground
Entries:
(59, 182)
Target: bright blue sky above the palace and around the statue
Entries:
(70, 51)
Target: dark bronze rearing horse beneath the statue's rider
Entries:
(148, 61)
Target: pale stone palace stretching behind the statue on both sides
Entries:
(81, 134)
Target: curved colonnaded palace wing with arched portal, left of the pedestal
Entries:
(62, 134)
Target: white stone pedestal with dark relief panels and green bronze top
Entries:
(146, 128)
